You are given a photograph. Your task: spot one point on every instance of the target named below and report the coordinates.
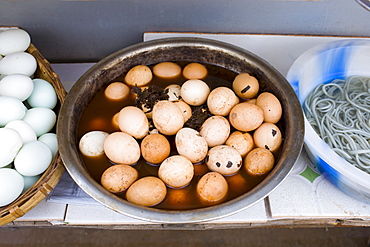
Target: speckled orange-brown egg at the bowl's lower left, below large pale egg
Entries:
(118, 178)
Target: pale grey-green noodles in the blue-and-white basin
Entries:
(340, 114)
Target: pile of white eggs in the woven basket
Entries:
(27, 145)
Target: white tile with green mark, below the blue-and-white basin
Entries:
(299, 197)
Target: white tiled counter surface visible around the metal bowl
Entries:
(303, 195)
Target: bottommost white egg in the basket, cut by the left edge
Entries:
(11, 185)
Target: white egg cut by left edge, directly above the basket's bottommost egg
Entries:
(10, 143)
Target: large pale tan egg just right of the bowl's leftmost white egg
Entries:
(121, 148)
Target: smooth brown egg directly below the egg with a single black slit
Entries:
(246, 117)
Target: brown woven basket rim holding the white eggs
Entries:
(49, 179)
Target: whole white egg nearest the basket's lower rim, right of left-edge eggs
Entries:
(33, 158)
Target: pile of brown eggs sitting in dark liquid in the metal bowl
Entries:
(240, 132)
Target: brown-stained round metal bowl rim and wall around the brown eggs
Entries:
(179, 49)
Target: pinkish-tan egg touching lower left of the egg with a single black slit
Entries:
(221, 100)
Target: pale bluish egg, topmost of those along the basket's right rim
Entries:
(43, 94)
